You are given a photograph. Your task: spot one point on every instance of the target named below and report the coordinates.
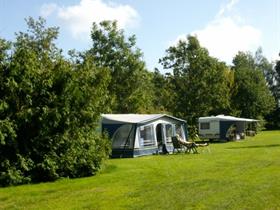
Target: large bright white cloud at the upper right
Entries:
(226, 35)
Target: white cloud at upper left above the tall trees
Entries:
(79, 18)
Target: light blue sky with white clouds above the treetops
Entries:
(224, 27)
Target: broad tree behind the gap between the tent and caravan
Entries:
(201, 83)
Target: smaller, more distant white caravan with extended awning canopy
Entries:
(221, 127)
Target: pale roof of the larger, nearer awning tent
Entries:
(133, 118)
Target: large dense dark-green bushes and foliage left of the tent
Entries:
(49, 110)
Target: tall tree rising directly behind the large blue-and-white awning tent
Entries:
(131, 87)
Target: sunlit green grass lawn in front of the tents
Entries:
(235, 175)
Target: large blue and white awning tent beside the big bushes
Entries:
(135, 135)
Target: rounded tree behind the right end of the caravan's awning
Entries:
(252, 98)
